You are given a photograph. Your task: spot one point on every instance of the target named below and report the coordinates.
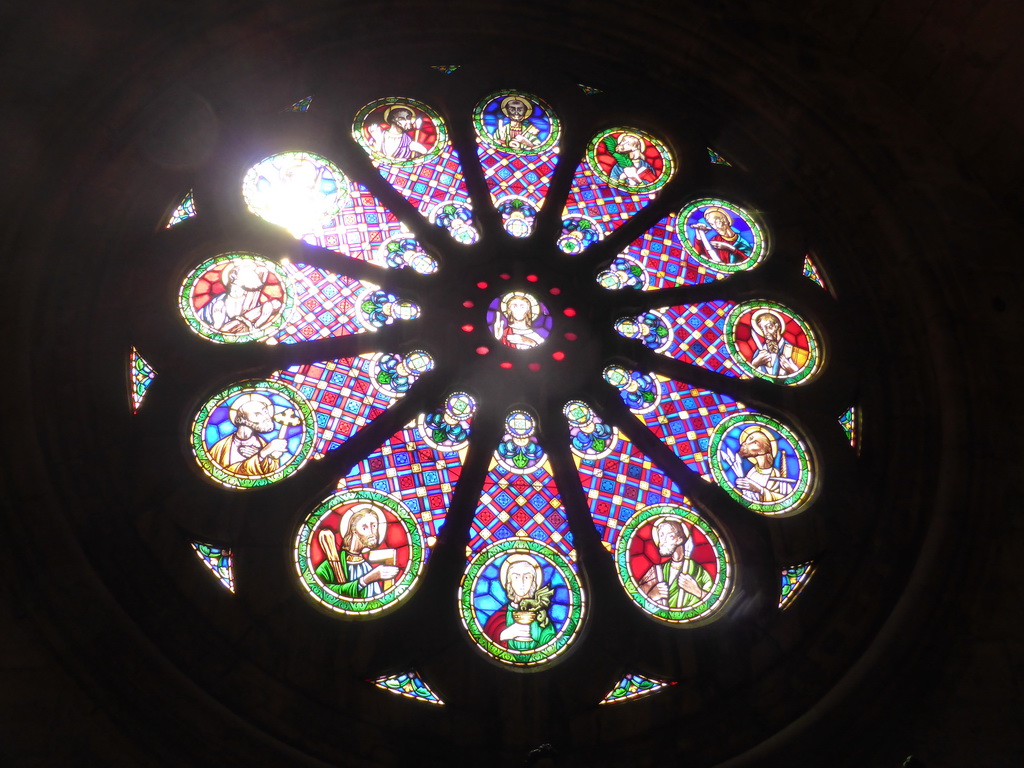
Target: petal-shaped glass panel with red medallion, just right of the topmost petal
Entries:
(621, 174)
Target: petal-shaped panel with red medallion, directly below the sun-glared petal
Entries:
(243, 297)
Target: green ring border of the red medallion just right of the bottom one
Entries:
(723, 583)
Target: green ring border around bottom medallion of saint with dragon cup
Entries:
(561, 643)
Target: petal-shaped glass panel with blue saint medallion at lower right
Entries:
(760, 462)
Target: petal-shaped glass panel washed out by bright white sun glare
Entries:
(313, 199)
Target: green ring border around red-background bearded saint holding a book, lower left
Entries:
(360, 608)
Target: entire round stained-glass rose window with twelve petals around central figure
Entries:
(431, 376)
